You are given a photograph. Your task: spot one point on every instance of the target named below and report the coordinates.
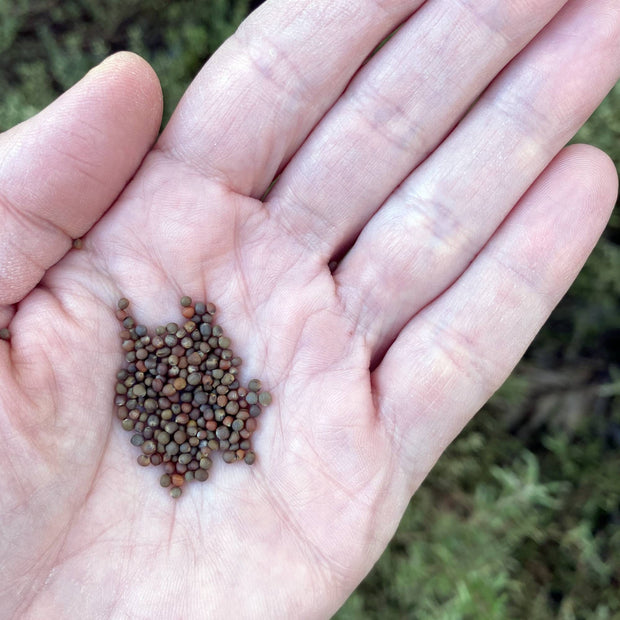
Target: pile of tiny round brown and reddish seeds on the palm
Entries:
(178, 393)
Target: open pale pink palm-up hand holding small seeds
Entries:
(458, 220)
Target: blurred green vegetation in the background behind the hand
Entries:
(520, 518)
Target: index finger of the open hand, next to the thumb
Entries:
(263, 91)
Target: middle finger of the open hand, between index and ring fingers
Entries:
(433, 68)
